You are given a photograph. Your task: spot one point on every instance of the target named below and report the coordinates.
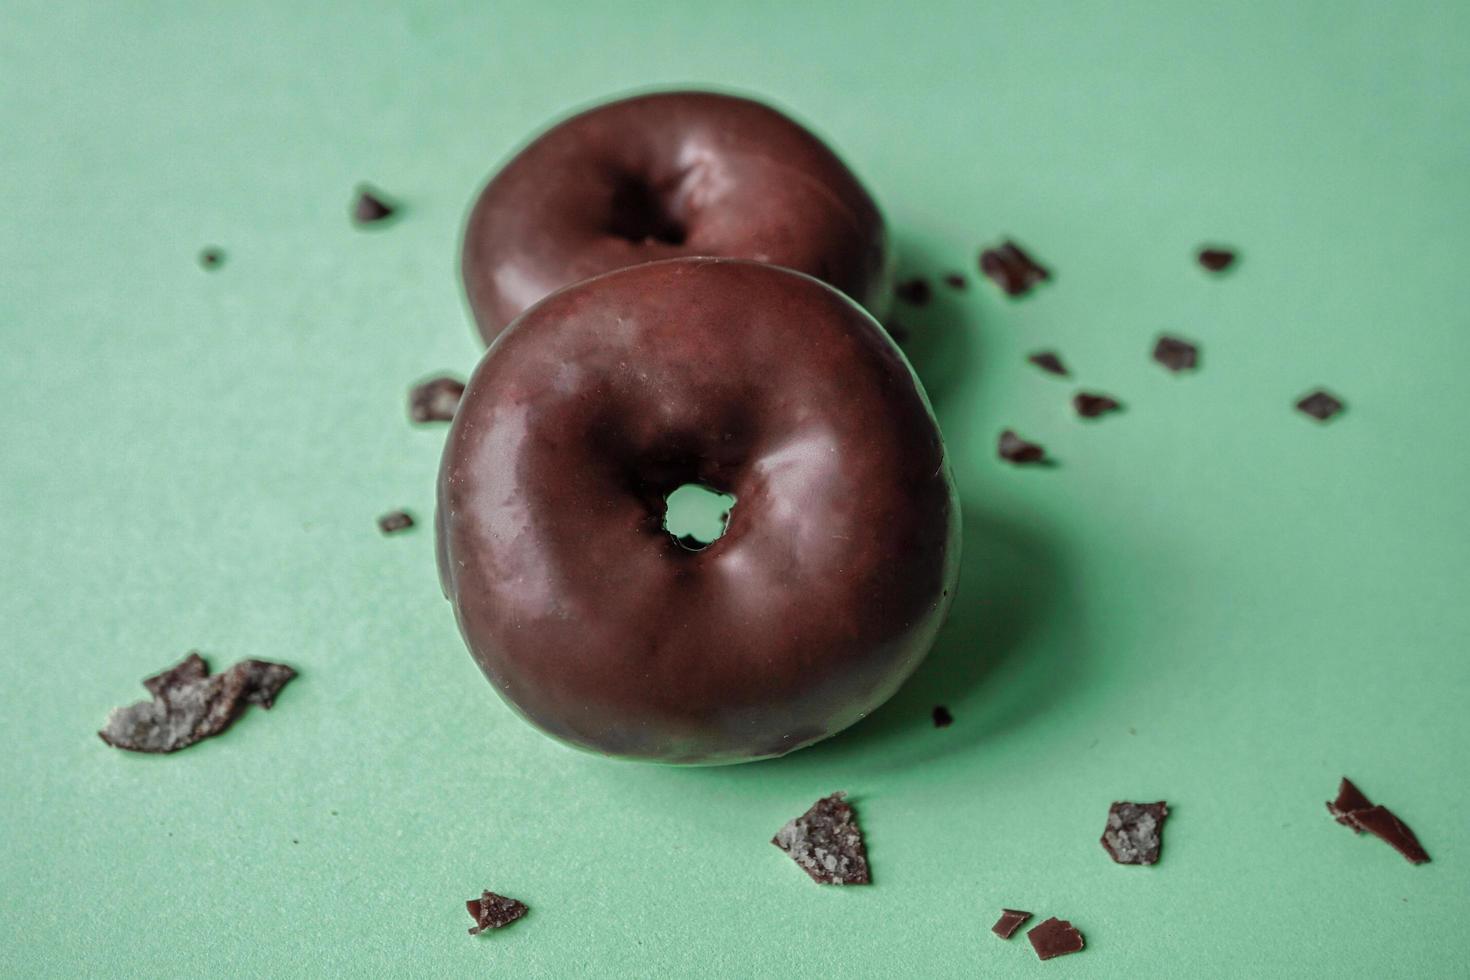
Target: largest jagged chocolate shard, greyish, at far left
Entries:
(190, 706)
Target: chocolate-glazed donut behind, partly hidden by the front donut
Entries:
(661, 177)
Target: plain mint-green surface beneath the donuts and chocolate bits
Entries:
(1212, 600)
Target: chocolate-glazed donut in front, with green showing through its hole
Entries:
(839, 562)
